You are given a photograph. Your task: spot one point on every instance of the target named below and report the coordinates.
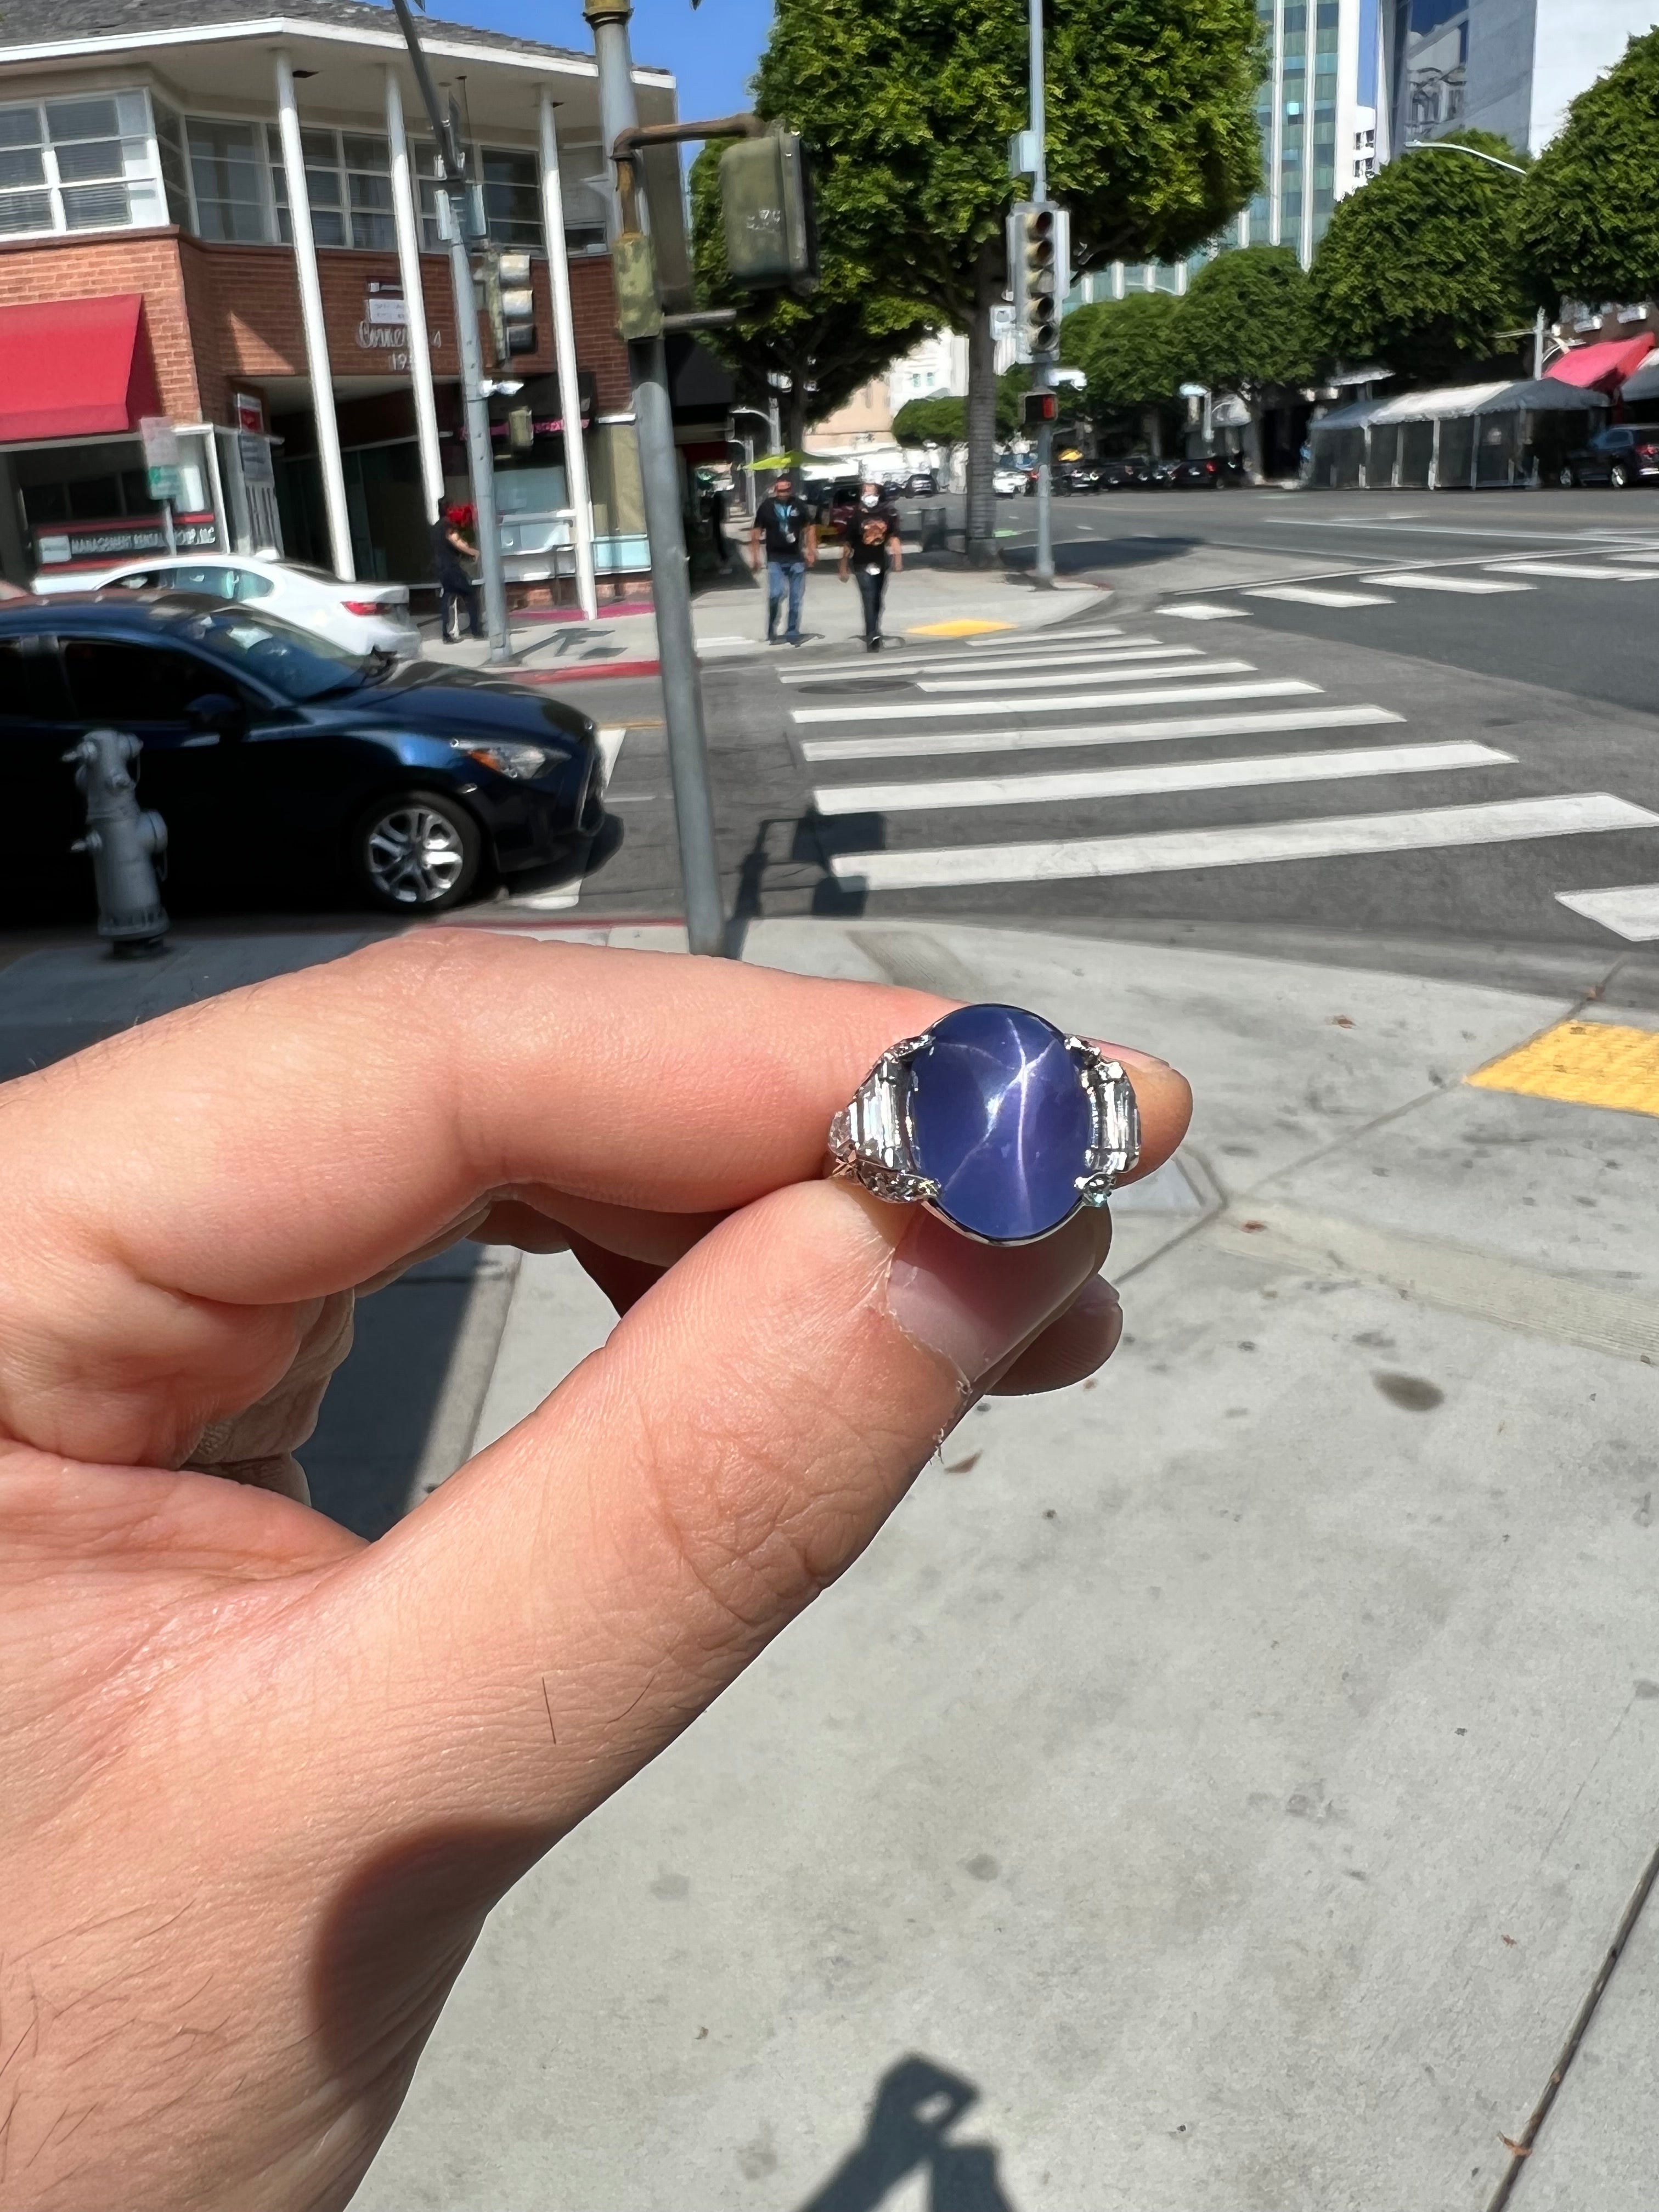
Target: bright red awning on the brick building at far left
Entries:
(72, 368)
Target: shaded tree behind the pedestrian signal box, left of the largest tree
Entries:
(828, 346)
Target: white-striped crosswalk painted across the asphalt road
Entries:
(972, 740)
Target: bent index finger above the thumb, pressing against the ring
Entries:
(302, 1136)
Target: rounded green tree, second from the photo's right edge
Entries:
(1421, 269)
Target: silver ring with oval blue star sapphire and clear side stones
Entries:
(994, 1120)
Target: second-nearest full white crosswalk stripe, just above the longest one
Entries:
(1258, 769)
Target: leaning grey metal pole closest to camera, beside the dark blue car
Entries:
(665, 528)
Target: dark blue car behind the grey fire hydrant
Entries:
(282, 760)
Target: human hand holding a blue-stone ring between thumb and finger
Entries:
(264, 1782)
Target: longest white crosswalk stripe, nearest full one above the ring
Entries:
(1162, 851)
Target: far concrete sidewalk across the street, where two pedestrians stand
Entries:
(729, 618)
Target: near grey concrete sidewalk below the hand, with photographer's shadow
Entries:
(1222, 1784)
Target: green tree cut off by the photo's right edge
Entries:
(1587, 216)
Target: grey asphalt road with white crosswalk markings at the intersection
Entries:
(1441, 735)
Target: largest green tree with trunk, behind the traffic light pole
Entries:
(908, 107)
